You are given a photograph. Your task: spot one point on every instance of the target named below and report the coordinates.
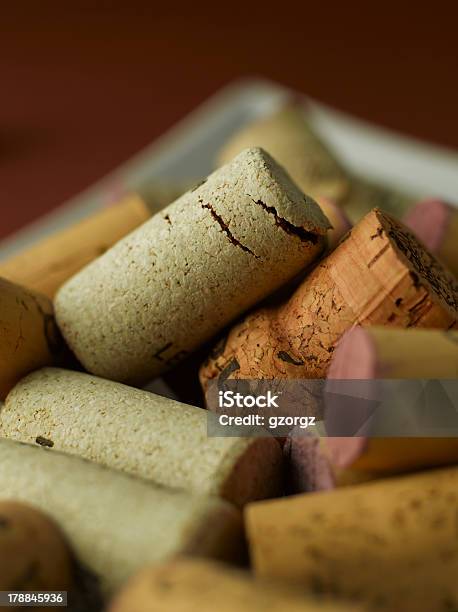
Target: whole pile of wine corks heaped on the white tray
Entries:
(122, 498)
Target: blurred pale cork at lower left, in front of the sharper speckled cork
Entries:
(116, 524)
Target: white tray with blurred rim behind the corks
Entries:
(188, 151)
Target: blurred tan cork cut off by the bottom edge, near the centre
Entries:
(187, 585)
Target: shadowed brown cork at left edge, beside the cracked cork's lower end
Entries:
(29, 335)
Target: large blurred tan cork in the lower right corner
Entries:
(391, 543)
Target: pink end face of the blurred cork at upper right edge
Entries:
(429, 220)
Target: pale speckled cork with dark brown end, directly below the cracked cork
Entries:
(140, 433)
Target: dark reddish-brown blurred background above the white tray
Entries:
(86, 85)
